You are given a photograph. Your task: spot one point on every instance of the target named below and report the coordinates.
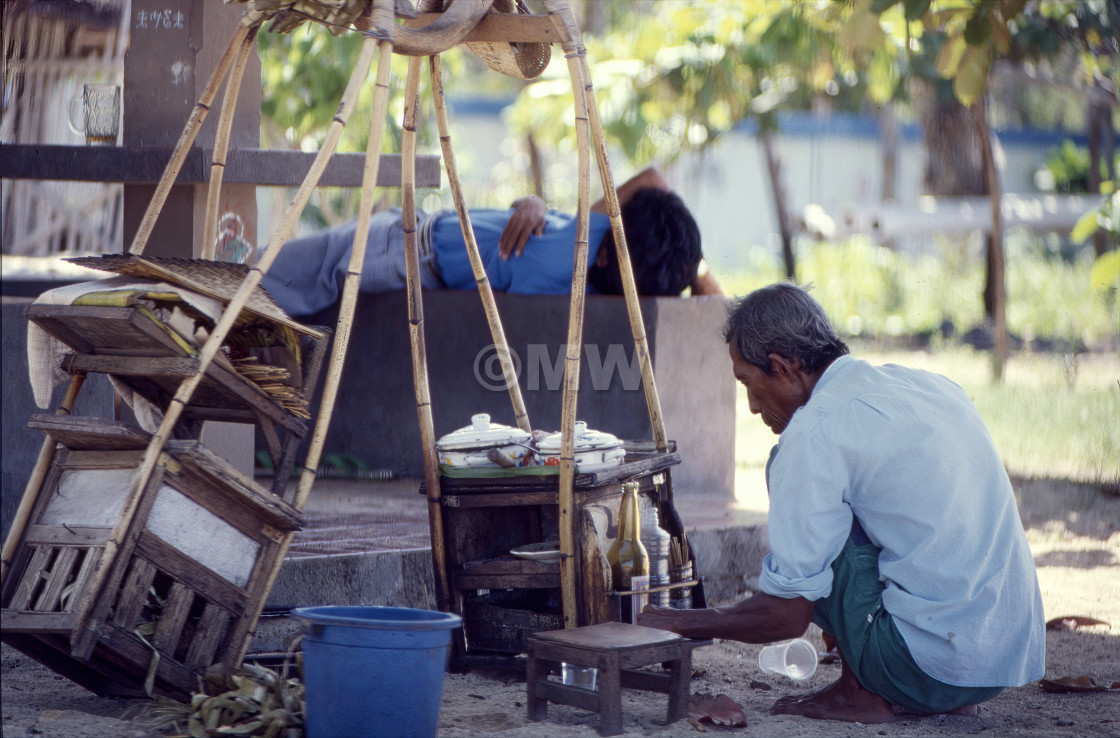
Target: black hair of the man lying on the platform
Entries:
(664, 241)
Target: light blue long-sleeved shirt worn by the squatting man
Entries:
(908, 454)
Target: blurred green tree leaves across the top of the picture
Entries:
(675, 77)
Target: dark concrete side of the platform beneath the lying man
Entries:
(376, 417)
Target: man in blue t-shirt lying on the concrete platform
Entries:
(526, 249)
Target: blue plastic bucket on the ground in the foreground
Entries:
(375, 671)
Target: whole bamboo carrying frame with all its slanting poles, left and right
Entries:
(468, 21)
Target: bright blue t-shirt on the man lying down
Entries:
(544, 268)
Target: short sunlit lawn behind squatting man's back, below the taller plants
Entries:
(1052, 417)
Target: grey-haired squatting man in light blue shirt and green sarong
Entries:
(892, 524)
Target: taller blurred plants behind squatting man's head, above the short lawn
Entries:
(871, 291)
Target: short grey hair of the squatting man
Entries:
(782, 320)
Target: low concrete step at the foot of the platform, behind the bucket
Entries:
(369, 544)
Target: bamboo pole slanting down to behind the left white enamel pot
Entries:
(486, 292)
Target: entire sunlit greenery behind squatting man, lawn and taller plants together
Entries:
(1056, 415)
